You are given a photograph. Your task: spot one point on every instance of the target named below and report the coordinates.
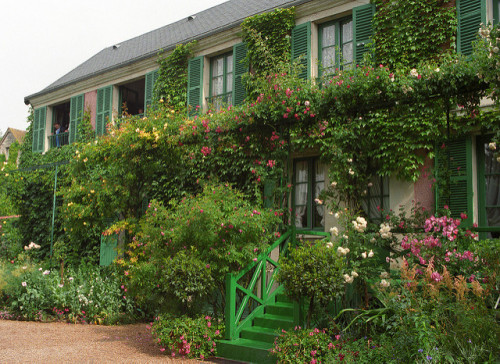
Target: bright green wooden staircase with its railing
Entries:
(257, 308)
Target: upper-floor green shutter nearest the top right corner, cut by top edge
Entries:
(470, 14)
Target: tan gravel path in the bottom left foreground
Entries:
(35, 342)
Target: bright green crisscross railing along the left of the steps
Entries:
(240, 315)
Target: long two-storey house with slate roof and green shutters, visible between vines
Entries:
(123, 75)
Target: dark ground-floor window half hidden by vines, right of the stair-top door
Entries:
(377, 199)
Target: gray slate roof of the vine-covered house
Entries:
(203, 24)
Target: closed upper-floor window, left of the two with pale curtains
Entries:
(221, 80)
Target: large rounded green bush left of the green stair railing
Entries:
(190, 247)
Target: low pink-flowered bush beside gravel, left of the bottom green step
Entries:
(188, 337)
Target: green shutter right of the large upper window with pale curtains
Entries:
(363, 30)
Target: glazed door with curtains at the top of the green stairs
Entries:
(308, 182)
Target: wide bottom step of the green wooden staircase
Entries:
(245, 350)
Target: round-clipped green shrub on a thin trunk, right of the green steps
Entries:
(313, 272)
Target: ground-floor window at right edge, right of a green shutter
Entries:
(488, 182)
